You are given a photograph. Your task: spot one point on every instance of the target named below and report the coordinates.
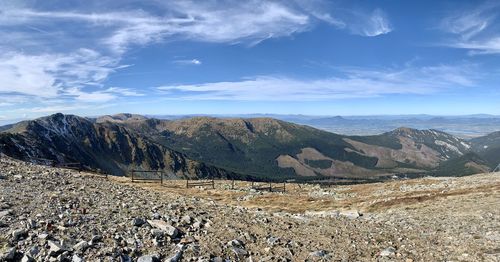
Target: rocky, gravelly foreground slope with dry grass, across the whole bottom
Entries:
(51, 214)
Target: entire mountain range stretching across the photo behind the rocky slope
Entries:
(244, 148)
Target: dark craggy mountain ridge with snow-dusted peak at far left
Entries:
(106, 146)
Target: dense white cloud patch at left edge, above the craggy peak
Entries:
(48, 75)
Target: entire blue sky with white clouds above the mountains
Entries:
(309, 57)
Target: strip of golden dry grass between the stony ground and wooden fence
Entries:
(376, 197)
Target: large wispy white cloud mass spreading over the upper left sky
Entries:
(67, 52)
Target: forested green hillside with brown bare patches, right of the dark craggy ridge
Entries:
(263, 146)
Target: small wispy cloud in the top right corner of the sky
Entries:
(476, 30)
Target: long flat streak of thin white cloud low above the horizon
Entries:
(355, 83)
